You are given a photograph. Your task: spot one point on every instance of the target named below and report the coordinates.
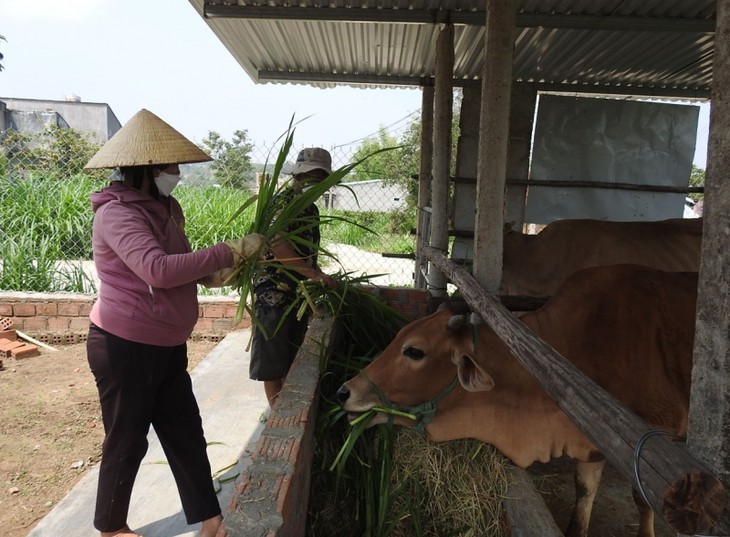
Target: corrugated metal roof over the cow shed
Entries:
(647, 47)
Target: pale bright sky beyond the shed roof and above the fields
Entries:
(161, 55)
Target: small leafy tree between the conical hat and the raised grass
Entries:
(232, 159)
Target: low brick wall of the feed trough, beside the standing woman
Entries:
(272, 495)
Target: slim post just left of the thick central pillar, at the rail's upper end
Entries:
(443, 102)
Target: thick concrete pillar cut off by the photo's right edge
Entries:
(709, 420)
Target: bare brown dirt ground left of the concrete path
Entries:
(50, 431)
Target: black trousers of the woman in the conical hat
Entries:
(141, 385)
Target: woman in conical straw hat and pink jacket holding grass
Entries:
(146, 309)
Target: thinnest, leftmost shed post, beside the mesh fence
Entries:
(424, 184)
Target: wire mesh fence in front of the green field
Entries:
(46, 217)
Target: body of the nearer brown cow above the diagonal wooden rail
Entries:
(631, 329)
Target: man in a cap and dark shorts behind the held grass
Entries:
(275, 342)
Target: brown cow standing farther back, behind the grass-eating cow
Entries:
(536, 265)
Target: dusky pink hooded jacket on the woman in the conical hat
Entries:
(148, 274)
